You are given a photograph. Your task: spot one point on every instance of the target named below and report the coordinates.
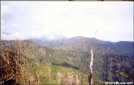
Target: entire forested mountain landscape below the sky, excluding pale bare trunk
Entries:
(65, 61)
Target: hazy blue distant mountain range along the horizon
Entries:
(80, 43)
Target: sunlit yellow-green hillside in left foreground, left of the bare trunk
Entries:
(21, 67)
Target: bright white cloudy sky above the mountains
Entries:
(108, 21)
